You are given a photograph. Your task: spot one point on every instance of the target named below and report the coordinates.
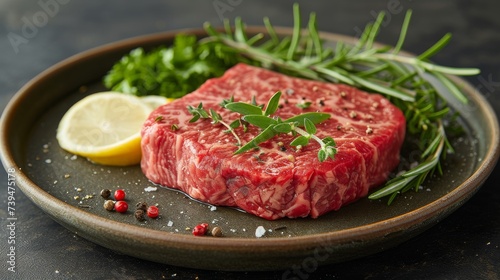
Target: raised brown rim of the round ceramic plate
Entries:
(52, 205)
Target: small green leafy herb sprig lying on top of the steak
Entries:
(271, 126)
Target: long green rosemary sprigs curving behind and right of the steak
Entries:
(414, 84)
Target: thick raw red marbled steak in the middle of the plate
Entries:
(275, 181)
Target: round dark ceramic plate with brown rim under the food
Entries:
(67, 188)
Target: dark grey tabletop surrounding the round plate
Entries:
(463, 246)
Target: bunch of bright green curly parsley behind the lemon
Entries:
(171, 72)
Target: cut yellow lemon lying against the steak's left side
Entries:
(105, 127)
